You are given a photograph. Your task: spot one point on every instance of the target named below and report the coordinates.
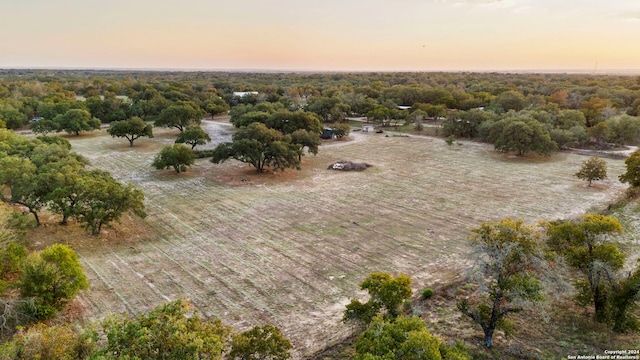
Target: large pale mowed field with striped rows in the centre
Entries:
(291, 248)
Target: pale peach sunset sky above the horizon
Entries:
(322, 35)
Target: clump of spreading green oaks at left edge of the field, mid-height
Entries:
(43, 172)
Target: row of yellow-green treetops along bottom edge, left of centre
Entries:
(170, 331)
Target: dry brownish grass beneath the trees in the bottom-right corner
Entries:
(562, 329)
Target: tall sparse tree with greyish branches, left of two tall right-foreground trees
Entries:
(509, 260)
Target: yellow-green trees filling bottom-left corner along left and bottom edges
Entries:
(36, 286)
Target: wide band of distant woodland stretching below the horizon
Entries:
(518, 113)
